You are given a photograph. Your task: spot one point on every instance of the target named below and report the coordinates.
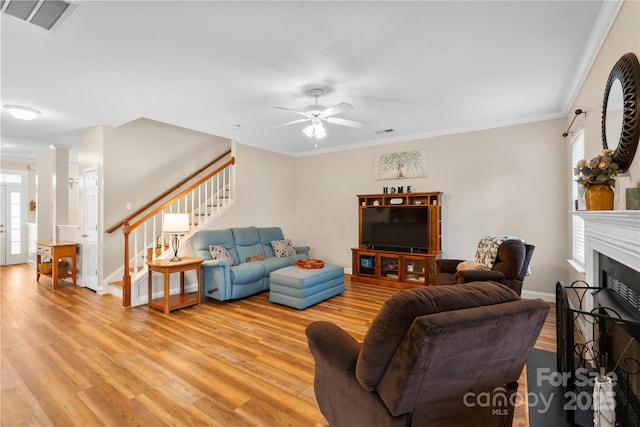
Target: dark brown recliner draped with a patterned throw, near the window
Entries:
(511, 265)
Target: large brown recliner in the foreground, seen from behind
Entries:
(431, 358)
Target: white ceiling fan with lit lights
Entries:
(316, 114)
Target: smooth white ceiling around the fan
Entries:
(421, 68)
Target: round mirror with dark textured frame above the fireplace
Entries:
(620, 114)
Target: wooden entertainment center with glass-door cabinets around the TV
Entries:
(398, 268)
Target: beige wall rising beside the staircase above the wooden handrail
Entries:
(138, 161)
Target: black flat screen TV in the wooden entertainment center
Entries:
(396, 228)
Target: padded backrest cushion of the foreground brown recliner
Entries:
(400, 310)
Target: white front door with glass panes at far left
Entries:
(12, 224)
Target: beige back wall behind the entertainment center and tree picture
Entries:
(507, 181)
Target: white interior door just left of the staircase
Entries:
(90, 231)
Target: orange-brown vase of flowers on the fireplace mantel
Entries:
(598, 178)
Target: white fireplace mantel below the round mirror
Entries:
(615, 234)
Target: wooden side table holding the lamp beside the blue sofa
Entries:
(170, 302)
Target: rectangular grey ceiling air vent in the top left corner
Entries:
(47, 14)
